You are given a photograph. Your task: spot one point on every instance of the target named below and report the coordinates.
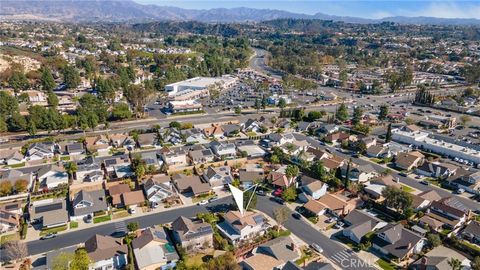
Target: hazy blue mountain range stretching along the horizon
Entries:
(130, 11)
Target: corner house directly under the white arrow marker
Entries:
(237, 228)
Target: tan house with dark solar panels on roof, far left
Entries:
(49, 212)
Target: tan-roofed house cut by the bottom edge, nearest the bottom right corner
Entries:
(439, 258)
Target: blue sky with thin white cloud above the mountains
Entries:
(366, 9)
